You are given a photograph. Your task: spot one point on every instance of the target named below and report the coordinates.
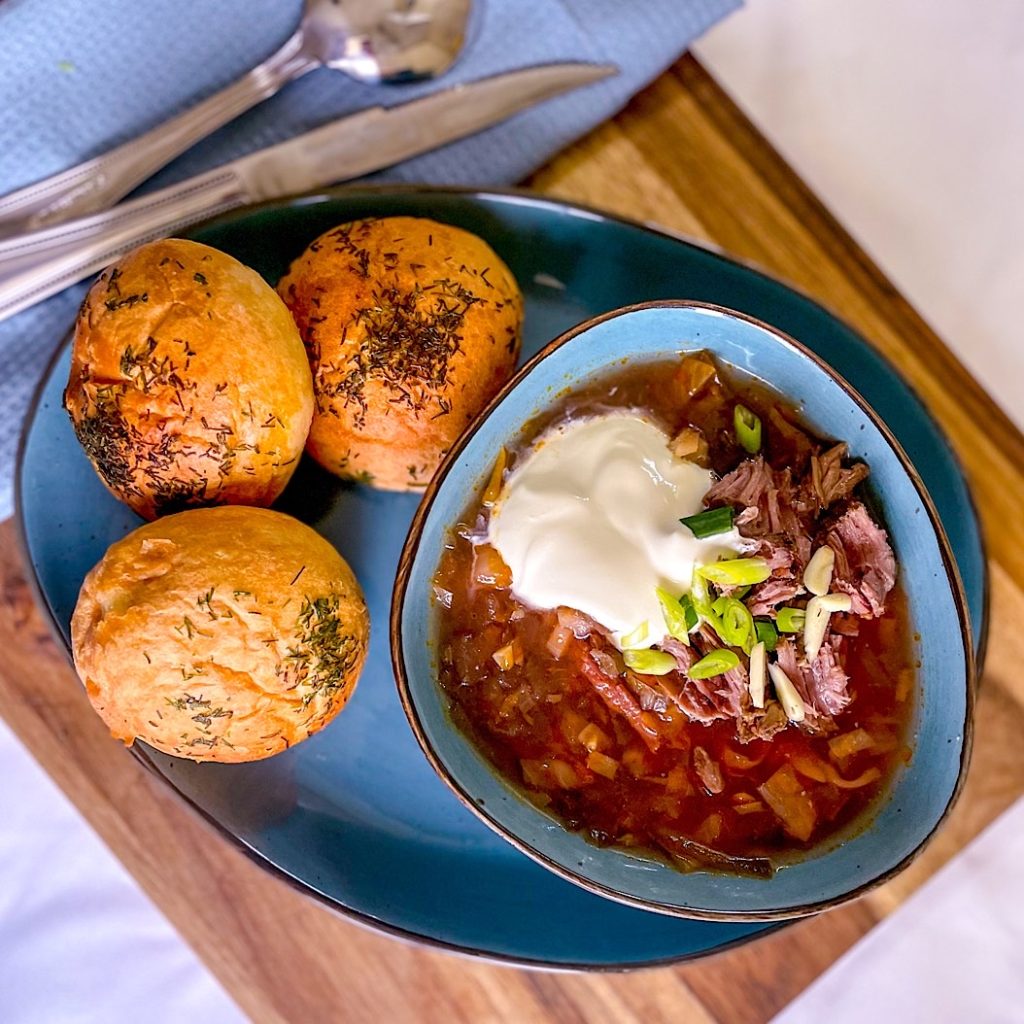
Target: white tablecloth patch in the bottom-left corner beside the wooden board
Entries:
(80, 943)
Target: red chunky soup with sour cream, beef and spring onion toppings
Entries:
(674, 622)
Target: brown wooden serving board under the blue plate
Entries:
(681, 155)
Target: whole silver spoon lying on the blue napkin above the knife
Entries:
(371, 40)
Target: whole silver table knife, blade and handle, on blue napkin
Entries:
(41, 264)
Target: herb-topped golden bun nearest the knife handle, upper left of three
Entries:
(189, 382)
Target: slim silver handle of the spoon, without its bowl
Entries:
(99, 184)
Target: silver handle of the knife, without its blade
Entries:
(89, 245)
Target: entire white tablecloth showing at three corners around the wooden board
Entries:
(907, 119)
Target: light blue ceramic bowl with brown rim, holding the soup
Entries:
(920, 796)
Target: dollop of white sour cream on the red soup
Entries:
(590, 520)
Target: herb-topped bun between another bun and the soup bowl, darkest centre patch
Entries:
(412, 327)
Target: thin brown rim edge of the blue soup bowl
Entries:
(411, 550)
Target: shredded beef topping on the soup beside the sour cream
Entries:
(783, 519)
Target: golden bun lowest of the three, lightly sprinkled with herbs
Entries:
(222, 634)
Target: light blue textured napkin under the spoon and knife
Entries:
(79, 78)
